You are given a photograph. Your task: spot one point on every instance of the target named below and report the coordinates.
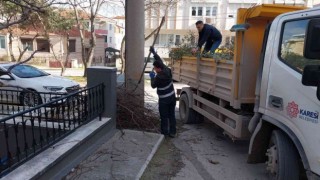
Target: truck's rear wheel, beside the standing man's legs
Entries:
(187, 115)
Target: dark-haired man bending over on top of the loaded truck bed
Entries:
(209, 35)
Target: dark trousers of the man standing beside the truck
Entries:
(167, 114)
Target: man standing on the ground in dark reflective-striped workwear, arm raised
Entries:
(167, 97)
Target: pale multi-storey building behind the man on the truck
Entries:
(180, 19)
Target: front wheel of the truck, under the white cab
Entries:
(283, 159)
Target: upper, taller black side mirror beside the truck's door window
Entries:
(312, 40)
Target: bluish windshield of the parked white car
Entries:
(26, 71)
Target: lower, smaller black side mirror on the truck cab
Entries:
(311, 77)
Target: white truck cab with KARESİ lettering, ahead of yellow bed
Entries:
(287, 106)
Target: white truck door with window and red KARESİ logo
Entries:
(288, 101)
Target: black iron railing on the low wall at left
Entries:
(33, 129)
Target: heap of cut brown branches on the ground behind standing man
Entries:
(134, 114)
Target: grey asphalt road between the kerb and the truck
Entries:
(202, 152)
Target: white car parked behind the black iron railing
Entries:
(30, 86)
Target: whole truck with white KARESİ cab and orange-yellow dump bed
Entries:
(269, 92)
